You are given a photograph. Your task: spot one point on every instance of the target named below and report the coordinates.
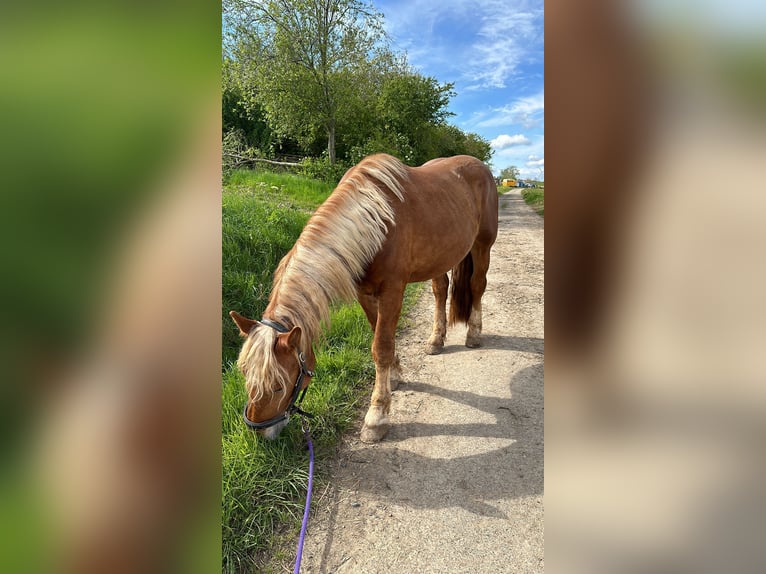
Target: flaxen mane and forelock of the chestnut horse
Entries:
(331, 255)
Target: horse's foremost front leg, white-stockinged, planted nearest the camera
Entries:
(376, 423)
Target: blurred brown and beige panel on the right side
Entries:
(655, 282)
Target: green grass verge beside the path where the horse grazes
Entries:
(264, 482)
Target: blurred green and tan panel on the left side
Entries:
(110, 339)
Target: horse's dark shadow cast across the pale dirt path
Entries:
(465, 479)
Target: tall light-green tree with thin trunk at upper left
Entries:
(303, 55)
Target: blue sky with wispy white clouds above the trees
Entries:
(493, 52)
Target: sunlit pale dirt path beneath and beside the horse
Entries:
(457, 485)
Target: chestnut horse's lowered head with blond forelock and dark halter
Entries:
(275, 373)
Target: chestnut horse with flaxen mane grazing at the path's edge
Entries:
(385, 225)
